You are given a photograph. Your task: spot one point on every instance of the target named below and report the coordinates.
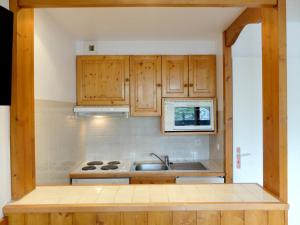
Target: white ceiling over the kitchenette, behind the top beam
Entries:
(144, 23)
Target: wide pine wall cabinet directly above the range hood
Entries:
(102, 80)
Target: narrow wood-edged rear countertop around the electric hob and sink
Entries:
(214, 169)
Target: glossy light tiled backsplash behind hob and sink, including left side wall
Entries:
(64, 140)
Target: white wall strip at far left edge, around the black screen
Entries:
(5, 192)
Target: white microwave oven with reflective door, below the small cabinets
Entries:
(189, 115)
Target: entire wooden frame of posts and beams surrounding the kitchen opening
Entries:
(273, 19)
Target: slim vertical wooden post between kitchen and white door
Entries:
(228, 110)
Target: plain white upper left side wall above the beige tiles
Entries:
(54, 64)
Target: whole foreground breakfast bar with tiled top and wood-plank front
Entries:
(205, 204)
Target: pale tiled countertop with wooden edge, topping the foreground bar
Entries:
(145, 198)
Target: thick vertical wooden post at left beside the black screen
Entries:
(22, 106)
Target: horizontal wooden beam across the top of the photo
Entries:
(146, 3)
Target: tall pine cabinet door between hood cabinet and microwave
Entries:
(145, 85)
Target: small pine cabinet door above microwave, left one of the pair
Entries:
(175, 74)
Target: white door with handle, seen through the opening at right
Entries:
(247, 107)
